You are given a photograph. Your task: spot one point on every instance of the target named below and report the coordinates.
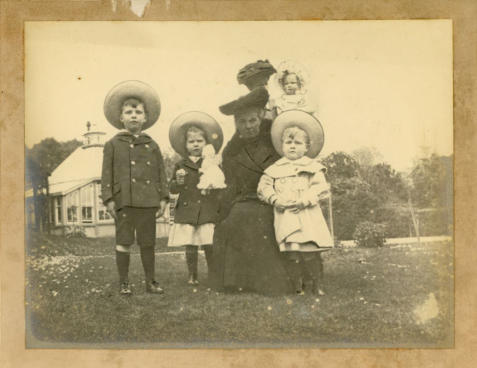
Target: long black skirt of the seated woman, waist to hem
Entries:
(245, 254)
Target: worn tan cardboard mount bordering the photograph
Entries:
(13, 15)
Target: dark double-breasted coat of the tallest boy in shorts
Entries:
(133, 172)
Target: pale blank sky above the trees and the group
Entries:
(380, 84)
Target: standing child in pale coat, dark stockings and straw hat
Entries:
(294, 185)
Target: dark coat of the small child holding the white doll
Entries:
(192, 207)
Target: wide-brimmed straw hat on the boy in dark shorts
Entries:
(132, 89)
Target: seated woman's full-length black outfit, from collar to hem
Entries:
(246, 255)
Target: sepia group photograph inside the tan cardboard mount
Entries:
(247, 184)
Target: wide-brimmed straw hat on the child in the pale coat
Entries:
(302, 120)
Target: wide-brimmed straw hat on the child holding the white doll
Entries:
(178, 129)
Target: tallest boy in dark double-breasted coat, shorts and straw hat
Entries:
(133, 182)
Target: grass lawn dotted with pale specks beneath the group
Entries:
(399, 296)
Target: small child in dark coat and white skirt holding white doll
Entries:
(197, 206)
